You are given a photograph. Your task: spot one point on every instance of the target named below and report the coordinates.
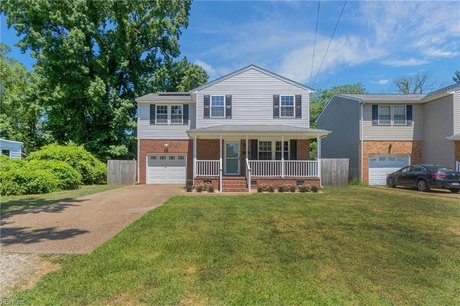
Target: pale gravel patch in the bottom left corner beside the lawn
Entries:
(23, 271)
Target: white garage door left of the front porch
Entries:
(166, 169)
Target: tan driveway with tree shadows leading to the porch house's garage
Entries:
(79, 225)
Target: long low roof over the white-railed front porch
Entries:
(258, 130)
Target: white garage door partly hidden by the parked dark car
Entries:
(382, 165)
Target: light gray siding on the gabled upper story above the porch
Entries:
(252, 100)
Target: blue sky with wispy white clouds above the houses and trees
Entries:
(375, 42)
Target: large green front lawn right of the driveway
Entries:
(344, 246)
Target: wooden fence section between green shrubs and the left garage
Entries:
(121, 172)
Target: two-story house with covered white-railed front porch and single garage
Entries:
(246, 128)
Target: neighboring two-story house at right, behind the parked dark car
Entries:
(381, 133)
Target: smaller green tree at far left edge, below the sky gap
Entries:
(20, 111)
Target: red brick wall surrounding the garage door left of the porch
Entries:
(147, 146)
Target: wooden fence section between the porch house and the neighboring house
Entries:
(334, 171)
